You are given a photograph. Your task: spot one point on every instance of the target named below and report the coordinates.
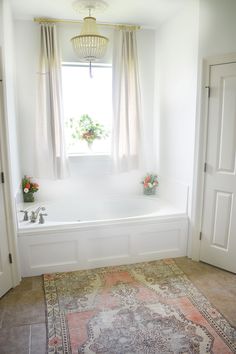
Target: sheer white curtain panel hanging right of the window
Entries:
(126, 102)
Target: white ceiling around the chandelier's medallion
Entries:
(147, 13)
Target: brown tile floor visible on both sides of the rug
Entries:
(22, 310)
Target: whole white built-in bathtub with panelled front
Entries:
(89, 233)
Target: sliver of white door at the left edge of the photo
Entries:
(5, 267)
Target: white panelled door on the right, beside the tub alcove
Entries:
(218, 244)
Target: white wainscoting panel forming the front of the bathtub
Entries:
(45, 251)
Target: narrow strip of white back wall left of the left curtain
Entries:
(27, 46)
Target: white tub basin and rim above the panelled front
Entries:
(67, 210)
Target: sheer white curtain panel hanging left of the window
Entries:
(51, 160)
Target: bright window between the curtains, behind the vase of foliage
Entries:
(88, 109)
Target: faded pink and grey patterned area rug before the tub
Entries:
(141, 308)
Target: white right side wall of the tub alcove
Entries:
(175, 96)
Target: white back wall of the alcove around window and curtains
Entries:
(88, 175)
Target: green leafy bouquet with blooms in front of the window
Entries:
(85, 128)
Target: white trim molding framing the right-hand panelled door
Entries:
(200, 148)
